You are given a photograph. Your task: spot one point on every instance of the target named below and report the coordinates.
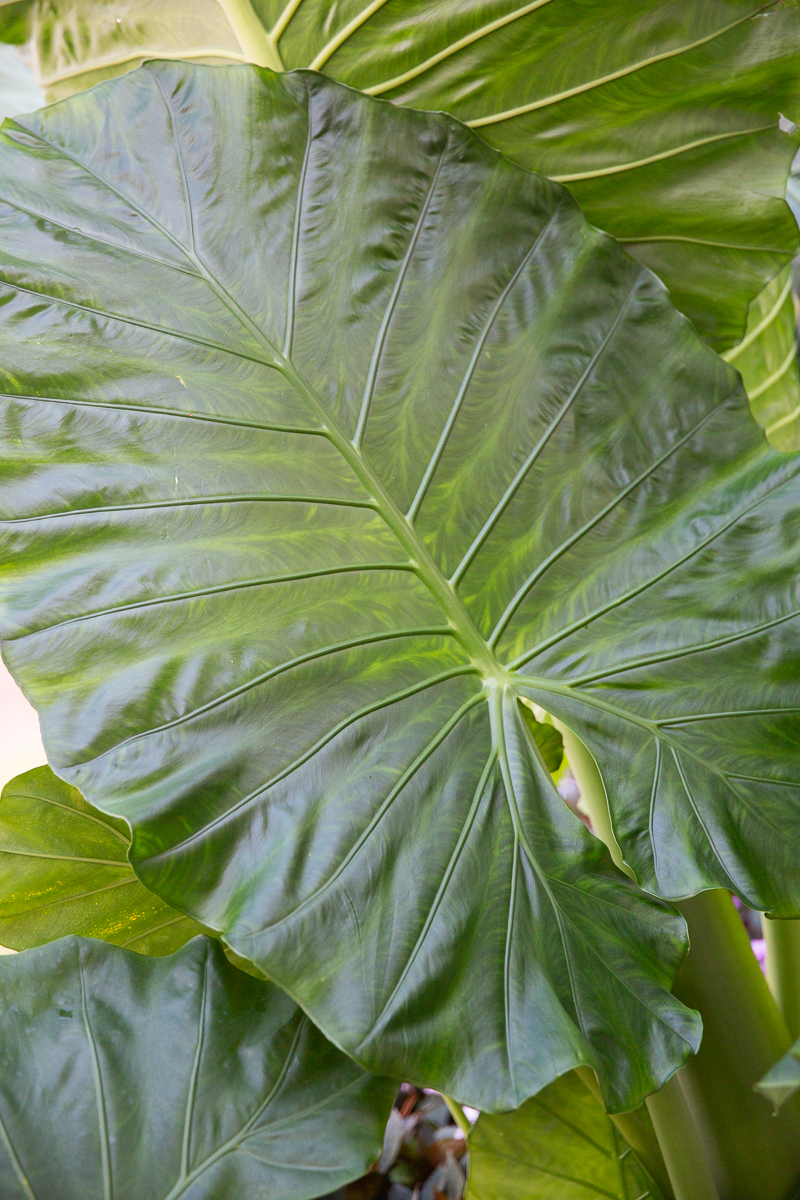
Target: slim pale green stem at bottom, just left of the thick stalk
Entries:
(681, 1144)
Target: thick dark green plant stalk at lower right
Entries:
(754, 1156)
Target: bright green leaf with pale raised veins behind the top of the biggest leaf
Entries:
(663, 116)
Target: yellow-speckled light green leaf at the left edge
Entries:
(64, 869)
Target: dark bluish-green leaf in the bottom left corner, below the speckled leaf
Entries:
(158, 1079)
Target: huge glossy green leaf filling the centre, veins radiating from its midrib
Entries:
(328, 435)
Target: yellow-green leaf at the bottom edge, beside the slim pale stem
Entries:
(561, 1145)
